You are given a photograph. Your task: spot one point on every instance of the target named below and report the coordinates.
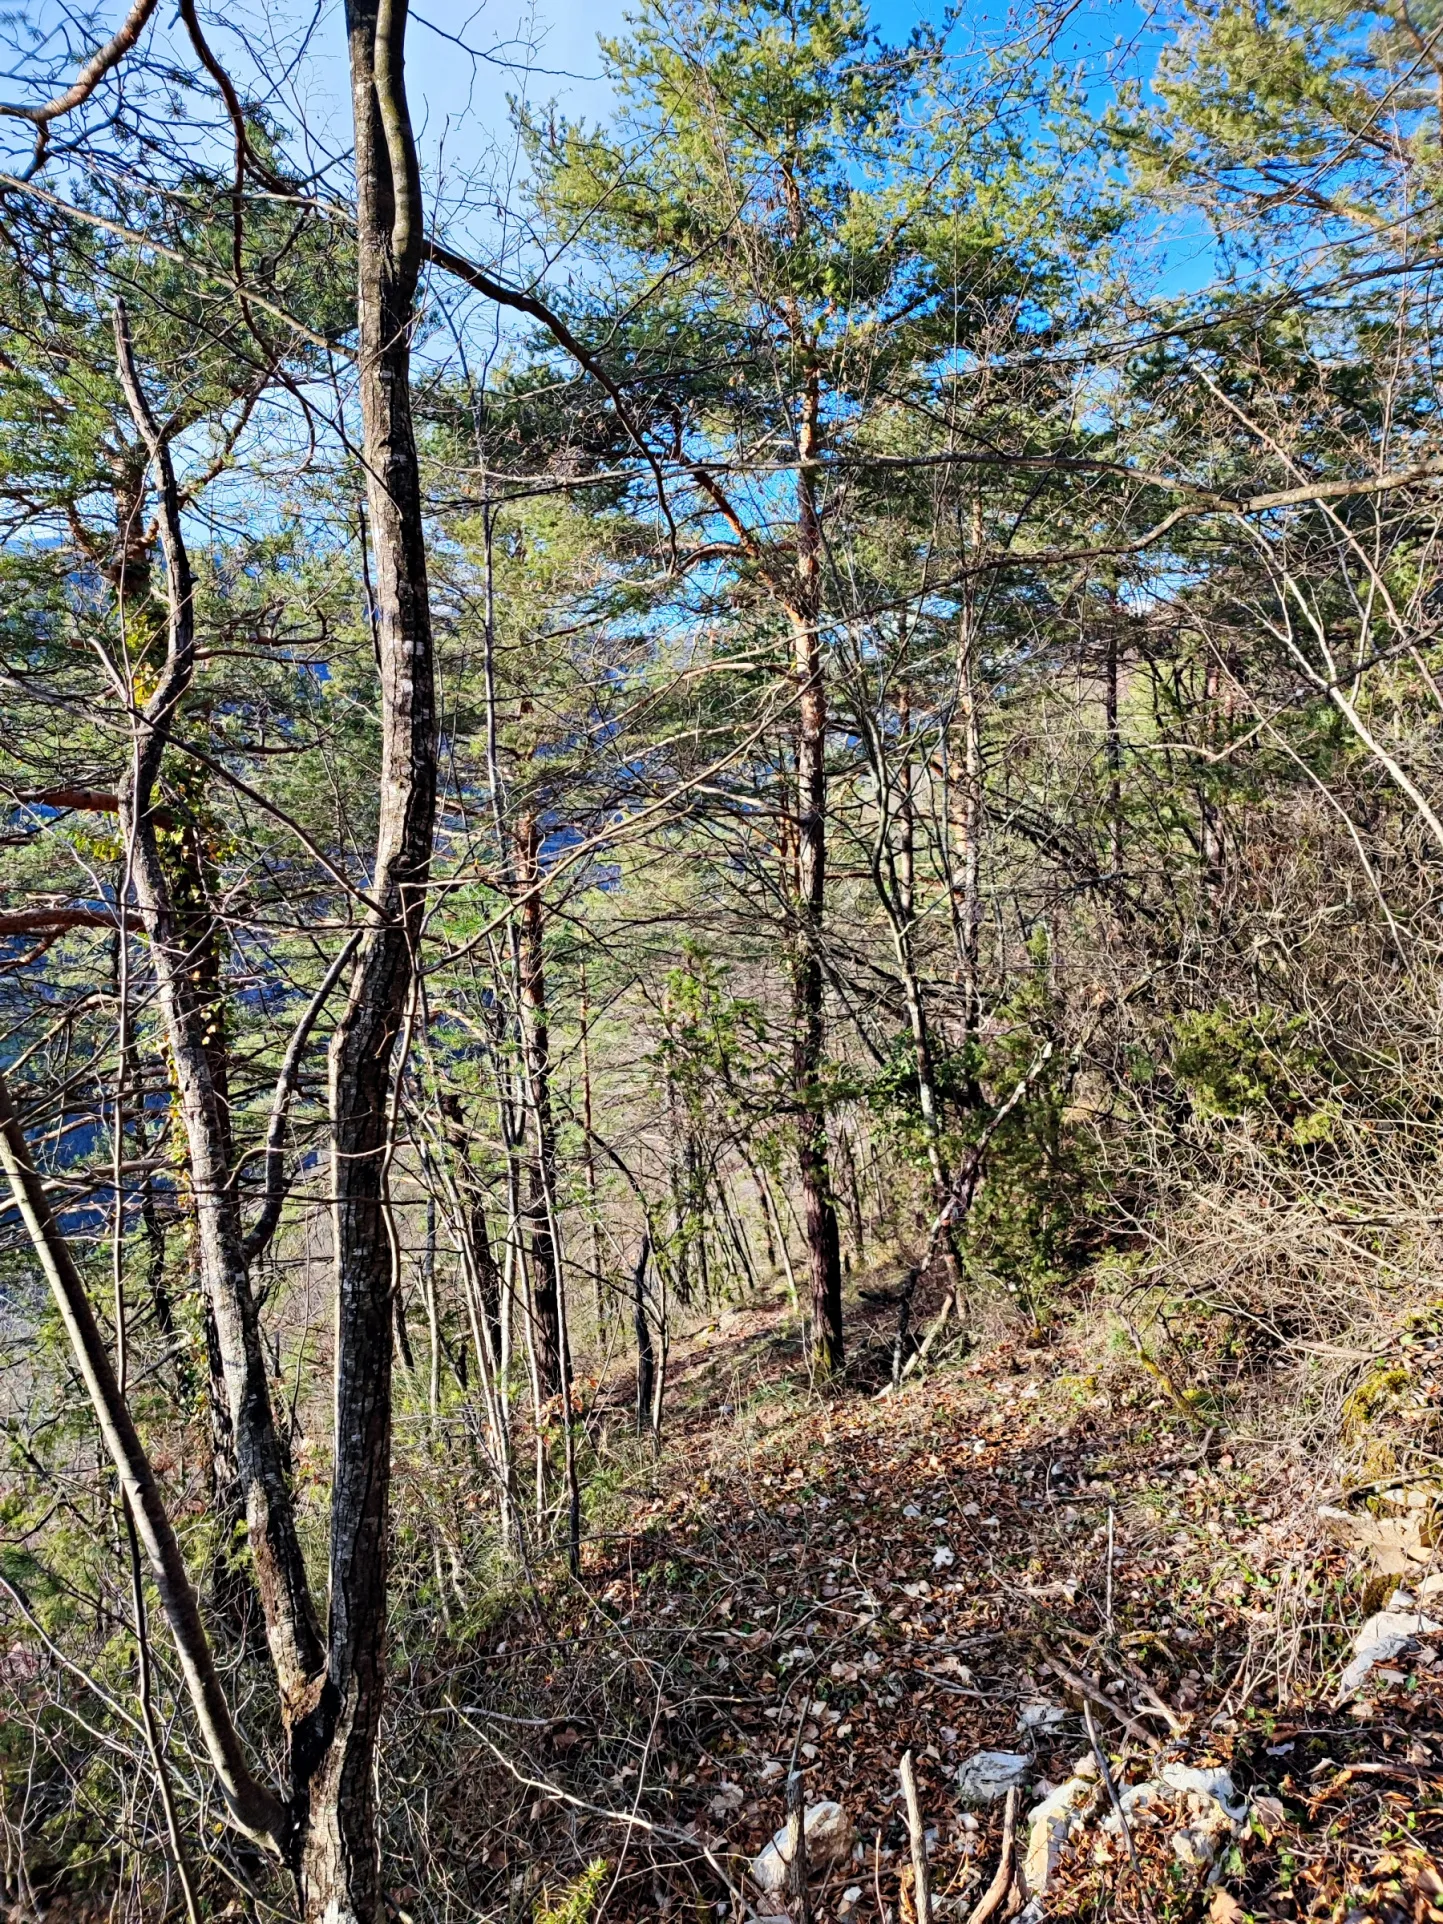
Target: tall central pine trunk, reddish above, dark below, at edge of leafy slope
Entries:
(809, 1032)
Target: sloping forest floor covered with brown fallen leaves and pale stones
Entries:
(830, 1581)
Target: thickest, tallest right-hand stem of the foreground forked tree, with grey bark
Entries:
(340, 1861)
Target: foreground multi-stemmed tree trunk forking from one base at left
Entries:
(332, 1694)
